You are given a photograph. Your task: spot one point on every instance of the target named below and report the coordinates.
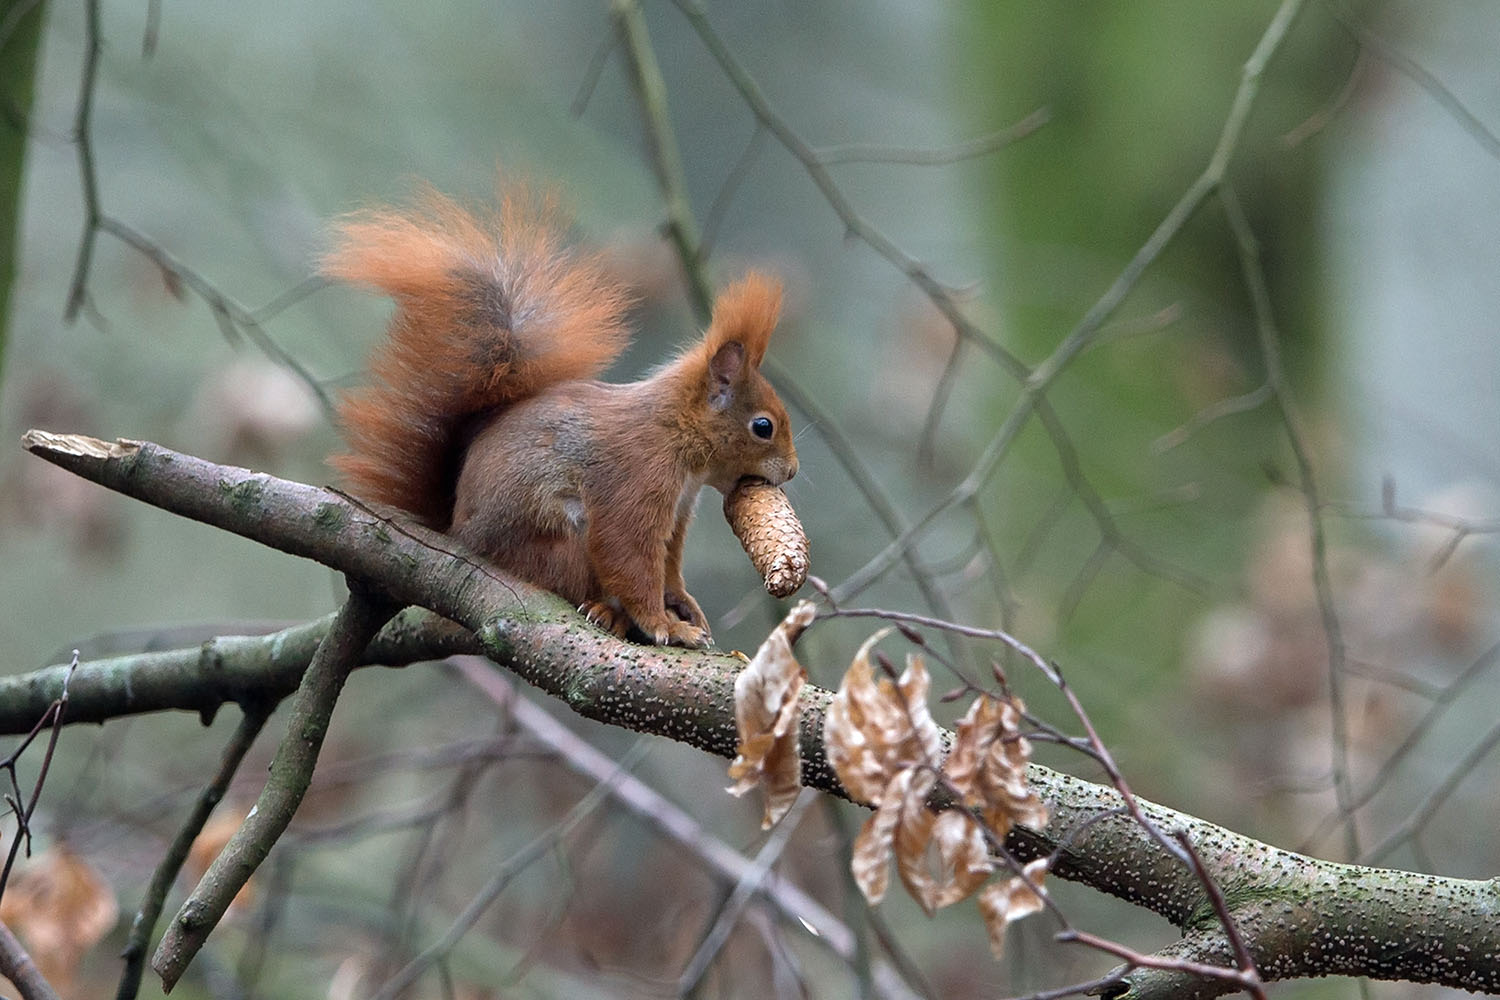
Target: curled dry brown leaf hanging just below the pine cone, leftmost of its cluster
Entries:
(769, 716)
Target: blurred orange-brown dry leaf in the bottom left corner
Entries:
(61, 908)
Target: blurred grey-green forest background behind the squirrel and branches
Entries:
(1151, 534)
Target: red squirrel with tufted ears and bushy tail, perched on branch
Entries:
(484, 416)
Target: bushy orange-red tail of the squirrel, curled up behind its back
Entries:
(491, 310)
